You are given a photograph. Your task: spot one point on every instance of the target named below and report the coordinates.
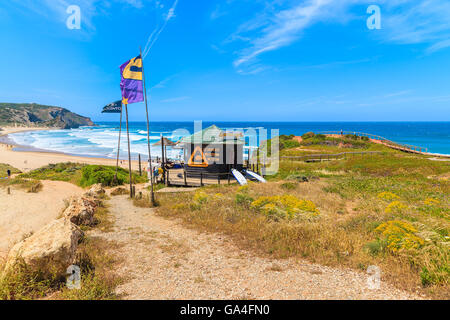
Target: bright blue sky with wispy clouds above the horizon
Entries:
(312, 60)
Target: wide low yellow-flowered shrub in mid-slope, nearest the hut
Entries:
(286, 206)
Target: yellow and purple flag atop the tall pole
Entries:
(131, 83)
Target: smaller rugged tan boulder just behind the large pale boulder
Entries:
(81, 211)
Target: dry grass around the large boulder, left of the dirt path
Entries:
(98, 279)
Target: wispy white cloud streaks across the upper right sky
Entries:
(403, 22)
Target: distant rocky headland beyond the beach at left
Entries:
(40, 115)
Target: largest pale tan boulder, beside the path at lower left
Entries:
(49, 251)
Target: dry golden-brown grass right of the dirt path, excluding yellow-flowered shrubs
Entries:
(343, 235)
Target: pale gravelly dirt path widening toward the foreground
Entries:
(165, 260)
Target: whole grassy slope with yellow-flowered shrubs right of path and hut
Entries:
(391, 210)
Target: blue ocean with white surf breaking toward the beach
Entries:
(101, 141)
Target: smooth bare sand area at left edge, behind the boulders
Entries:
(22, 213)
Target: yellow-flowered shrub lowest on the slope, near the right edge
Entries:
(399, 235)
